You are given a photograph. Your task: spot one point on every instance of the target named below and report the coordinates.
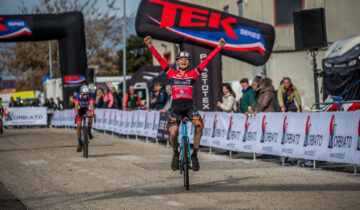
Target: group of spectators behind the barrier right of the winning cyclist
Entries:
(261, 96)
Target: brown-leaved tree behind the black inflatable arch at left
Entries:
(29, 61)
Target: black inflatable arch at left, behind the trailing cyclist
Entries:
(67, 28)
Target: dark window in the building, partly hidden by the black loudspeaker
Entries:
(283, 10)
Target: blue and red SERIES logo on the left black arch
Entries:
(13, 28)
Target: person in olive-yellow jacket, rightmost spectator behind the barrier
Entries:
(287, 94)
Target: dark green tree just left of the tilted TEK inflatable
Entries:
(137, 55)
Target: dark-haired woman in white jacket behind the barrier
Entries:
(229, 101)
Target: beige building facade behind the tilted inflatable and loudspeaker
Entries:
(341, 21)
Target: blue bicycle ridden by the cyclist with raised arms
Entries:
(185, 154)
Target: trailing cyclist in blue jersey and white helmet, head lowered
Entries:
(84, 104)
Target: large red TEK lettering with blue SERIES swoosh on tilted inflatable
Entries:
(214, 27)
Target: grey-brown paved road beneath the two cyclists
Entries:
(40, 169)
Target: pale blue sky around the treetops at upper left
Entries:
(10, 7)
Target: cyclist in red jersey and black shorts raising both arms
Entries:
(182, 82)
